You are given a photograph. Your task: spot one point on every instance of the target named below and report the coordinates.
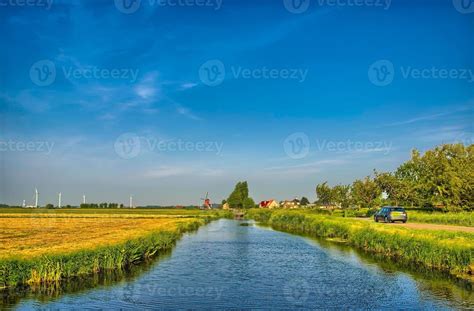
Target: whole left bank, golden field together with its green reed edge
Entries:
(45, 247)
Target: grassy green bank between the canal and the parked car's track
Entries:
(452, 252)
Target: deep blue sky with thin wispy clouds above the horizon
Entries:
(178, 98)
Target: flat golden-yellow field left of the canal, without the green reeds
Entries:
(28, 237)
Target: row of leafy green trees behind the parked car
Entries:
(440, 178)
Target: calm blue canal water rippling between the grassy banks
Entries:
(226, 265)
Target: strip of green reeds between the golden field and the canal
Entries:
(54, 268)
